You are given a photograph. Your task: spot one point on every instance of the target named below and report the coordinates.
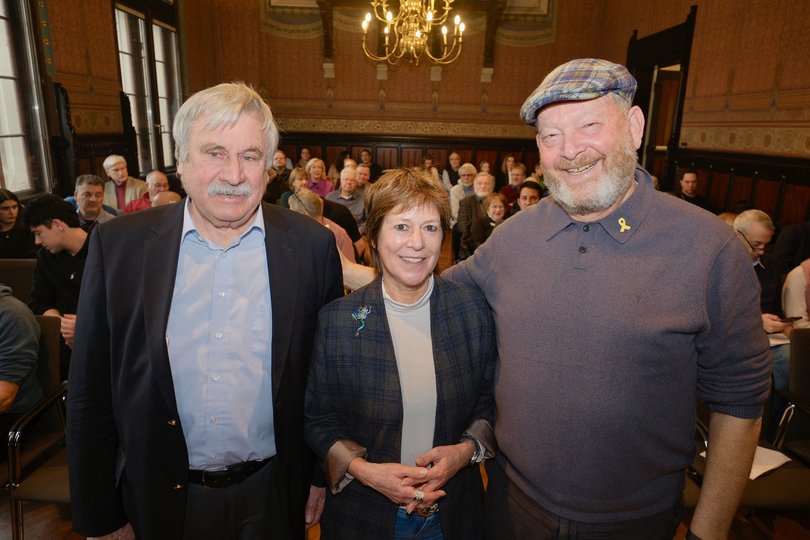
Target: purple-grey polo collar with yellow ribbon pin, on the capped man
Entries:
(623, 222)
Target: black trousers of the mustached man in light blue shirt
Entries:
(253, 509)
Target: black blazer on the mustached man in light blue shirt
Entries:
(127, 456)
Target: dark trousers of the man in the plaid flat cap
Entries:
(512, 515)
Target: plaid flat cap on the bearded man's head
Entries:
(579, 80)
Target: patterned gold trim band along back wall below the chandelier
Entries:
(405, 128)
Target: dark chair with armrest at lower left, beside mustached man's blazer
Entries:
(37, 458)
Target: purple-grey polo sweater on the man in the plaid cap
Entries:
(607, 333)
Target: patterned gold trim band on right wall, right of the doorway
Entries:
(788, 141)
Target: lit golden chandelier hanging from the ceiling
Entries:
(408, 34)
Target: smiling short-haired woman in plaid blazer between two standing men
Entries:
(399, 405)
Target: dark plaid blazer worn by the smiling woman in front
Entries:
(354, 394)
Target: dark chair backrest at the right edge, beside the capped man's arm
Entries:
(793, 433)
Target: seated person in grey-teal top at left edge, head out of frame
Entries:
(19, 349)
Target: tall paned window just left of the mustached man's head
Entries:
(149, 59)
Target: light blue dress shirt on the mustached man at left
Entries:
(219, 338)
